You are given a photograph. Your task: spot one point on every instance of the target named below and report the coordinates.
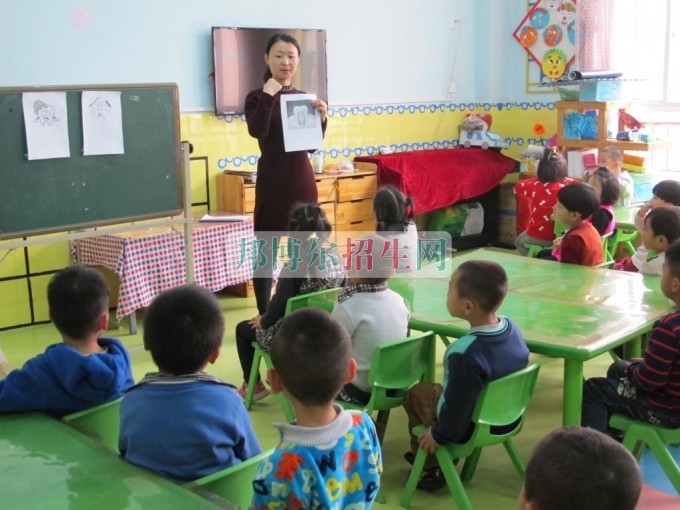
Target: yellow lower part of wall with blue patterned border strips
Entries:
(352, 131)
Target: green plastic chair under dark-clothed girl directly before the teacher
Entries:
(324, 299)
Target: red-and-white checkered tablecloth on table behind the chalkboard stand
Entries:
(148, 262)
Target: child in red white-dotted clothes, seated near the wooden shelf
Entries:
(541, 192)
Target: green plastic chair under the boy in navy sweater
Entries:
(502, 402)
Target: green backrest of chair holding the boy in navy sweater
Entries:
(503, 401)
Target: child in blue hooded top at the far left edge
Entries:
(83, 371)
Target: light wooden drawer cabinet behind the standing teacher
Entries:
(347, 200)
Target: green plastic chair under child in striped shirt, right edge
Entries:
(638, 433)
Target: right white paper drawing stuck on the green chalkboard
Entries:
(102, 123)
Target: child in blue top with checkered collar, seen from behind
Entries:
(181, 422)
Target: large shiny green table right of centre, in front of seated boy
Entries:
(563, 310)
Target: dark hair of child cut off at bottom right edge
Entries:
(582, 468)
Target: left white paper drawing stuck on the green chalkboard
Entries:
(46, 122)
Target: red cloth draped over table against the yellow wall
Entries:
(442, 177)
